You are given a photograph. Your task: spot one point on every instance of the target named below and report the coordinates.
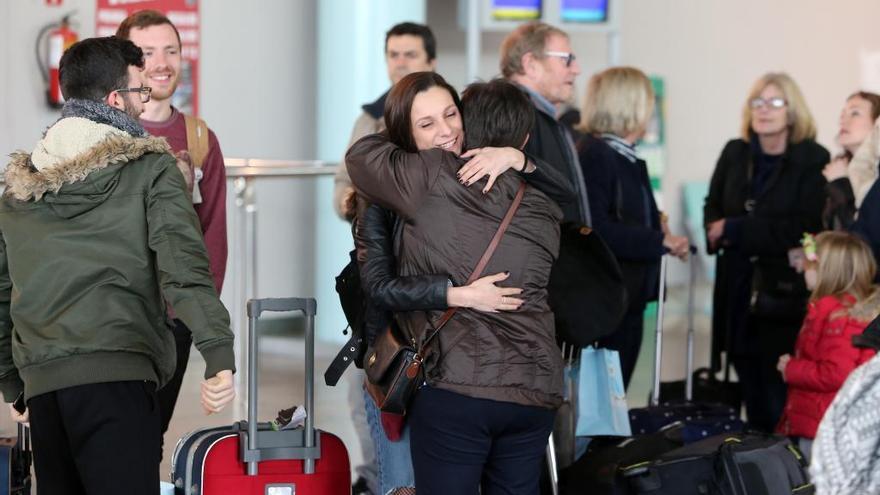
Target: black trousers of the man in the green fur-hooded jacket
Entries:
(96, 439)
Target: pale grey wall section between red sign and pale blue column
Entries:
(258, 77)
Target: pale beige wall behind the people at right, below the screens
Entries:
(709, 53)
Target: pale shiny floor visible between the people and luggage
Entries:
(281, 380)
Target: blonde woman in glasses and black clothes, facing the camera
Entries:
(766, 190)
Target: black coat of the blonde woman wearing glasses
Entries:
(757, 269)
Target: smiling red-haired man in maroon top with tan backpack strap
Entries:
(160, 42)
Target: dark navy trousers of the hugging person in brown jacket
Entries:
(464, 445)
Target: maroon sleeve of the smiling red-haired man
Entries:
(212, 210)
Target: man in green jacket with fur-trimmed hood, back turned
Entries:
(97, 232)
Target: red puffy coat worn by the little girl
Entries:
(824, 356)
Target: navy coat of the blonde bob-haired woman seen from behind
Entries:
(625, 215)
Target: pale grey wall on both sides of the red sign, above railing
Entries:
(257, 74)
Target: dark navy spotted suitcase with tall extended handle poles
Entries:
(700, 419)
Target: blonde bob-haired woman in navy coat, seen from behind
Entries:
(618, 106)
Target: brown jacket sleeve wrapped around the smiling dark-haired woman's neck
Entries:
(390, 177)
